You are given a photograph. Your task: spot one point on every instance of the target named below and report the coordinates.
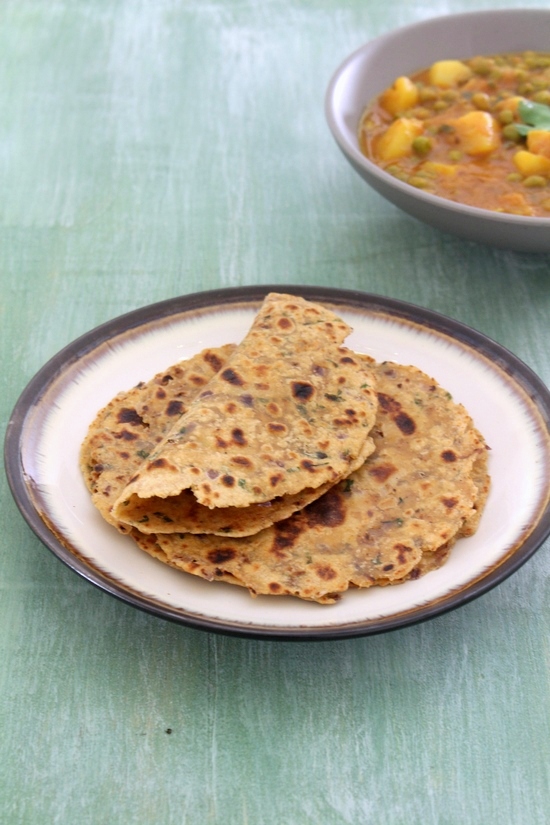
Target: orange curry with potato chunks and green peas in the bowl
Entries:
(475, 131)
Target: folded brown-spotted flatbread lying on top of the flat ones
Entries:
(287, 417)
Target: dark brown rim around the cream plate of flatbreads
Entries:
(427, 319)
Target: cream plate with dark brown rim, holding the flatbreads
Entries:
(508, 402)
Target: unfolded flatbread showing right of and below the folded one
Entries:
(393, 519)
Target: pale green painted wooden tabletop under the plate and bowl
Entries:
(153, 149)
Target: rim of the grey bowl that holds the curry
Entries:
(358, 159)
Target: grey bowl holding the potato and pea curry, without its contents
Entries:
(373, 67)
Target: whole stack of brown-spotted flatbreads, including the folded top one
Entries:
(288, 464)
